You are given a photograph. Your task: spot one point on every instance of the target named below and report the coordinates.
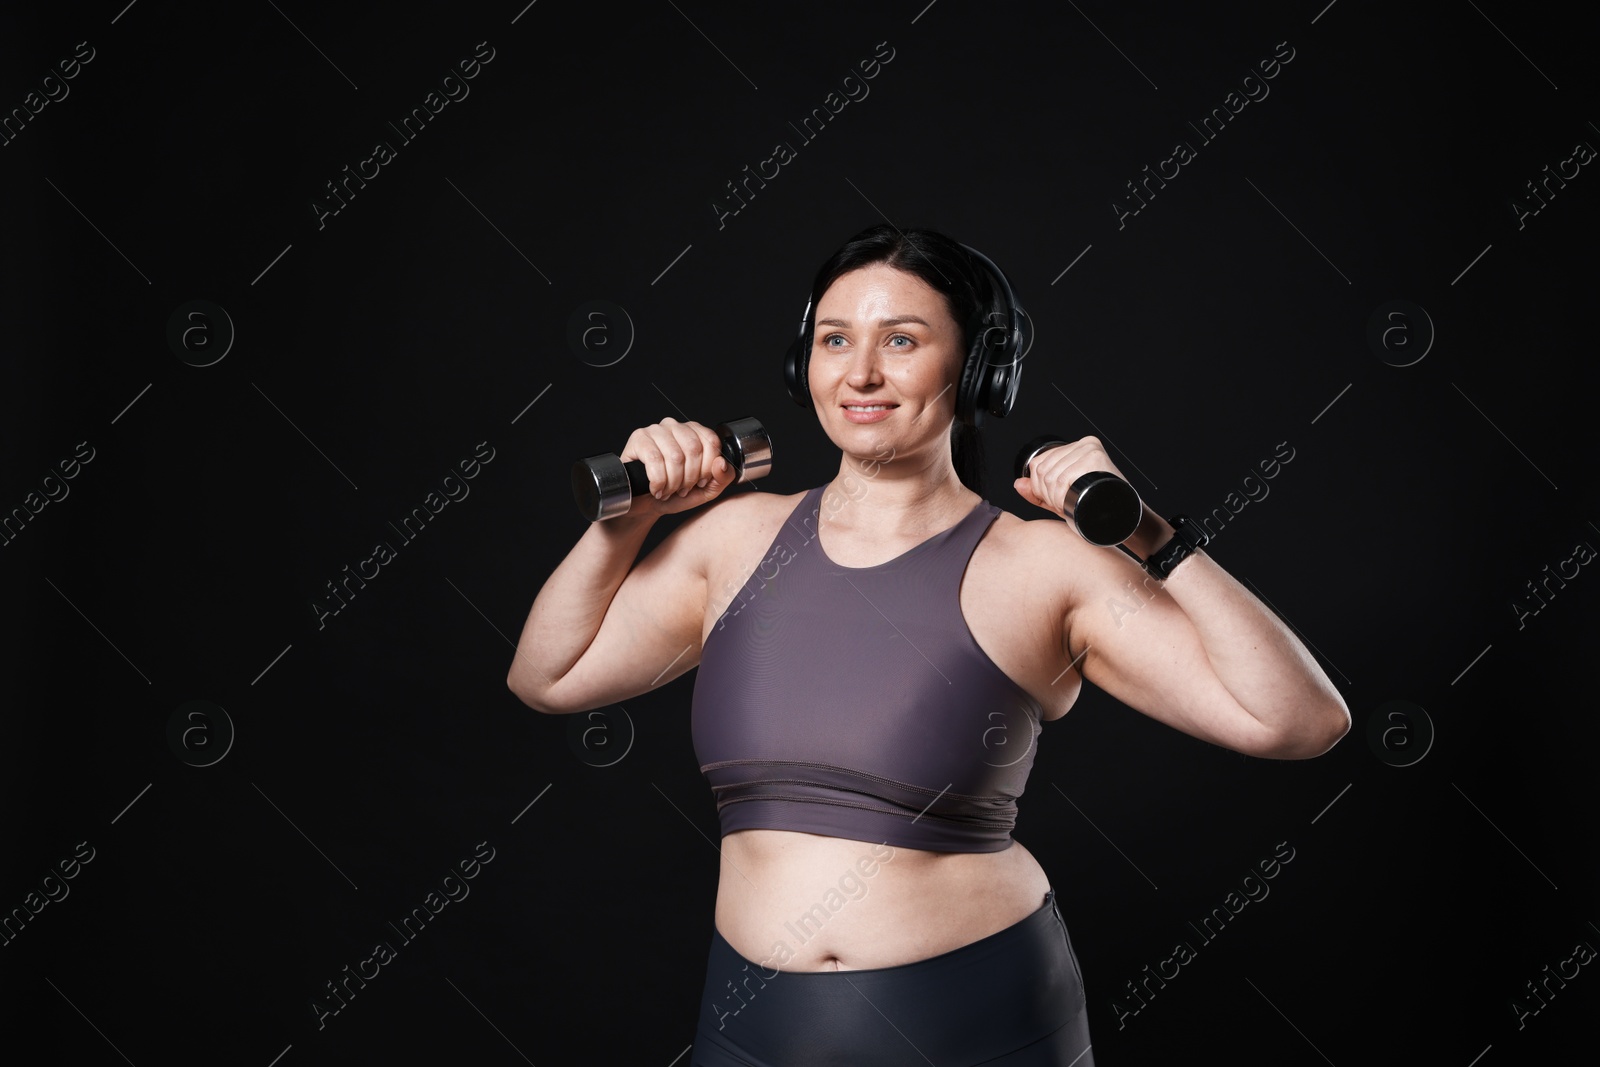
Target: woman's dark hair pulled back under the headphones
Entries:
(942, 263)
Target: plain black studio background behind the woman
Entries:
(378, 350)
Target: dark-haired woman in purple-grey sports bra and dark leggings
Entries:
(878, 657)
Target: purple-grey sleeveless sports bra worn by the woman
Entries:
(855, 703)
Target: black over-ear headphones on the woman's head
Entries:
(994, 364)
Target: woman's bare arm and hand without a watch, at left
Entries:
(602, 629)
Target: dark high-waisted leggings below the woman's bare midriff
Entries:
(1014, 999)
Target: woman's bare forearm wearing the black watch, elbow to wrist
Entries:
(1268, 671)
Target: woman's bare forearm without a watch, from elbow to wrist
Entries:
(574, 602)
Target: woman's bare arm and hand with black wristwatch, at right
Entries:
(1198, 650)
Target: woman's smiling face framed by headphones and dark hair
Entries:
(886, 338)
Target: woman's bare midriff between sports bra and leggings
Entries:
(807, 903)
